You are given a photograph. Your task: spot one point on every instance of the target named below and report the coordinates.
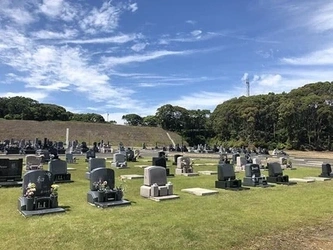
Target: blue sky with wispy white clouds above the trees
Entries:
(122, 57)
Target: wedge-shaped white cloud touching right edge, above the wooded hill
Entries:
(321, 57)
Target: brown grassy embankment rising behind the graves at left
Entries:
(89, 132)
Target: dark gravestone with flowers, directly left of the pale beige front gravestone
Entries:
(103, 192)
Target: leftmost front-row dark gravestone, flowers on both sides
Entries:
(40, 200)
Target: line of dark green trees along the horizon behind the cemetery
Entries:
(301, 119)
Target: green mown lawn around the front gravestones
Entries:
(270, 218)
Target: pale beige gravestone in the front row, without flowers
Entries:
(155, 185)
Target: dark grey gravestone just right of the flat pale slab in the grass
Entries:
(226, 178)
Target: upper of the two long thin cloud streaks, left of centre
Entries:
(114, 39)
